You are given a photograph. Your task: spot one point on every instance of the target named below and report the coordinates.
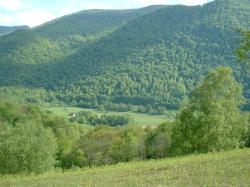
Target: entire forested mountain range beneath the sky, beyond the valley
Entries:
(152, 56)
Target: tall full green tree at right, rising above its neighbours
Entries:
(212, 120)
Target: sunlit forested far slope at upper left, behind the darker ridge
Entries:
(63, 36)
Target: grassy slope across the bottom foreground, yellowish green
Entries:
(215, 169)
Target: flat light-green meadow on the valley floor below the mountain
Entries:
(138, 119)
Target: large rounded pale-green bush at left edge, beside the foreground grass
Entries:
(26, 148)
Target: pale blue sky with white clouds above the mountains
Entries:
(36, 12)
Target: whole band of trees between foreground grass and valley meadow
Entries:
(35, 141)
